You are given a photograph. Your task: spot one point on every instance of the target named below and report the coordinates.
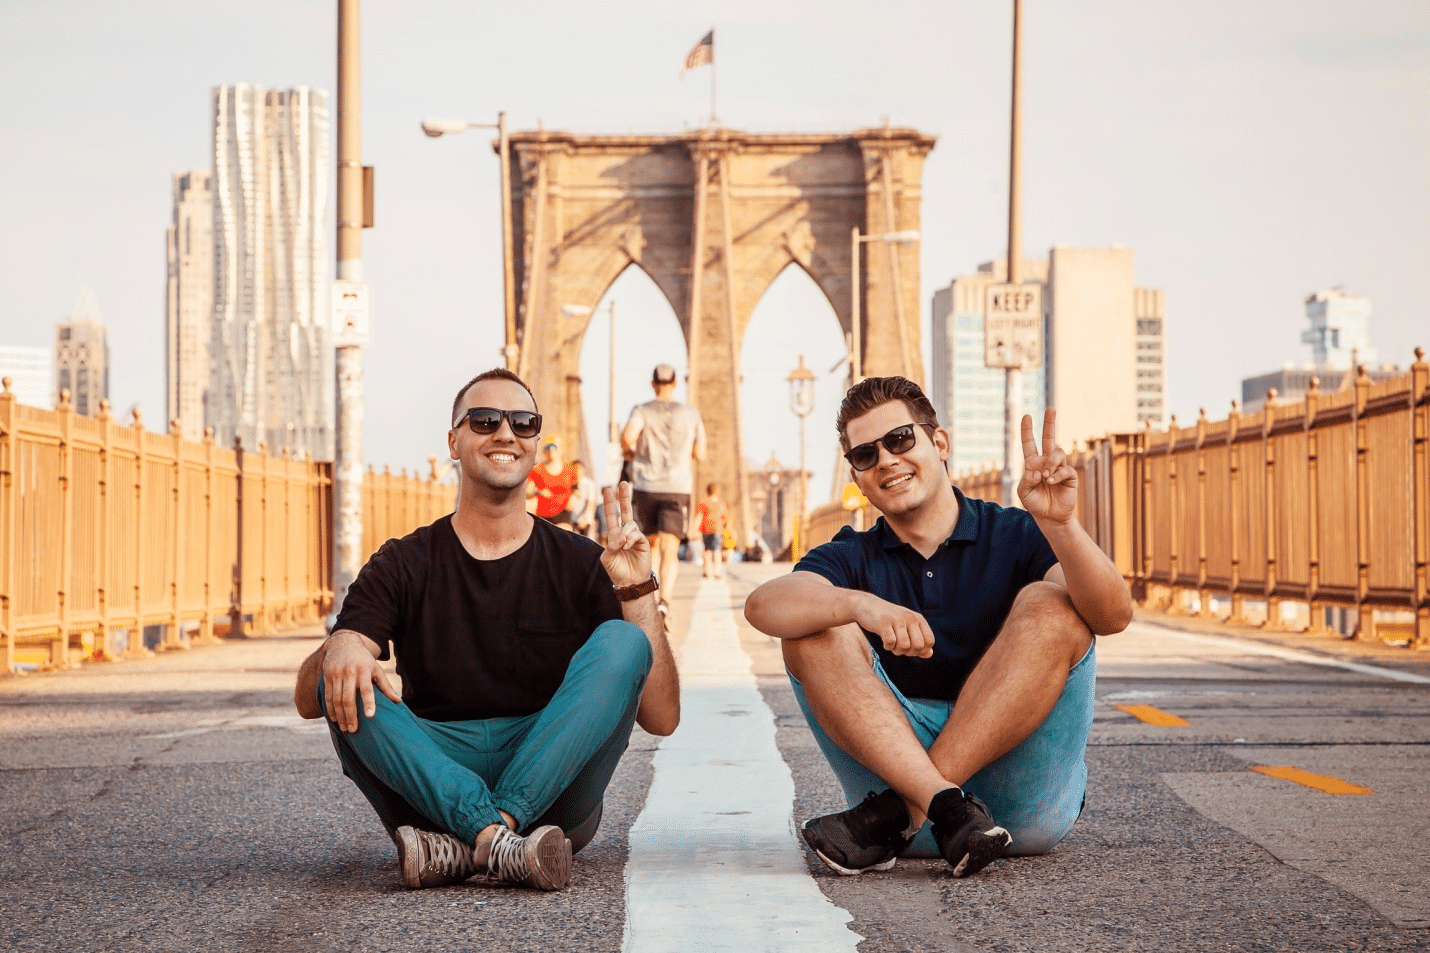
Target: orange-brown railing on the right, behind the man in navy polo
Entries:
(1322, 502)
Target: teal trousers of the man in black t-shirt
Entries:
(548, 768)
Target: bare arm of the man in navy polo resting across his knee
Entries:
(804, 605)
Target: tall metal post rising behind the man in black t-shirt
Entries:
(348, 360)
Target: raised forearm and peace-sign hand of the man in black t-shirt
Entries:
(628, 562)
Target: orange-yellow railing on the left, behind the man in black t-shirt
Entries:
(108, 530)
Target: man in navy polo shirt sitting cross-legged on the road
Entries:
(977, 698)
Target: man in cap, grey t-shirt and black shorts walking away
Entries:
(661, 439)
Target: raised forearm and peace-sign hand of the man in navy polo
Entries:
(1049, 492)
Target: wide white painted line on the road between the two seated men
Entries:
(714, 862)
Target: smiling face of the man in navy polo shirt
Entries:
(900, 483)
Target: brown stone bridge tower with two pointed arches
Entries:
(713, 217)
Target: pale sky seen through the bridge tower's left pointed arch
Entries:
(647, 334)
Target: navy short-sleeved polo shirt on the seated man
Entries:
(965, 590)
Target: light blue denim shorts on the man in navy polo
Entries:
(1036, 791)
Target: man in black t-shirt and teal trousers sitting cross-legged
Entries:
(527, 653)
